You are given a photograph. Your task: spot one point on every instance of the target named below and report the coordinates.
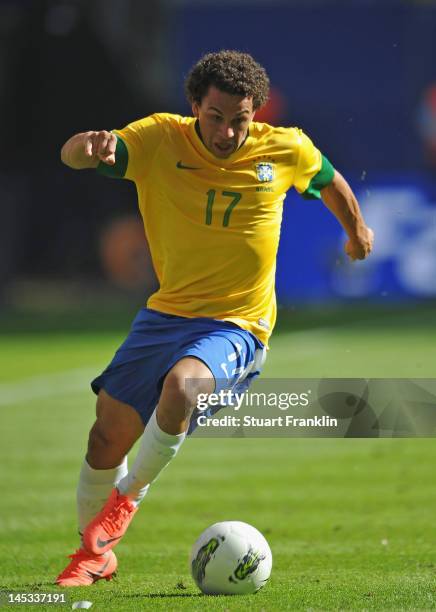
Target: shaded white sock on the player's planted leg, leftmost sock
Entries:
(94, 488)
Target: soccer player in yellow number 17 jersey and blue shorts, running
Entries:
(210, 191)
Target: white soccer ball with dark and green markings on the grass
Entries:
(231, 558)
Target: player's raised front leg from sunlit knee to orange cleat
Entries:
(160, 442)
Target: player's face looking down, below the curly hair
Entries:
(224, 121)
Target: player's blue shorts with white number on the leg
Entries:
(157, 341)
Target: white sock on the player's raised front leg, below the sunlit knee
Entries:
(156, 450)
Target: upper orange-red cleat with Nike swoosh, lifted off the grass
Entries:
(106, 529)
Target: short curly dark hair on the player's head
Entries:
(233, 72)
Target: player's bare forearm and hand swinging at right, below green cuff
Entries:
(341, 201)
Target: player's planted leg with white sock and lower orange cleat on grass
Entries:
(114, 432)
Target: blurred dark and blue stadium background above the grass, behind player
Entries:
(359, 76)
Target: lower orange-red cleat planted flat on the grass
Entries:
(85, 569)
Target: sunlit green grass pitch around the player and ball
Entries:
(351, 523)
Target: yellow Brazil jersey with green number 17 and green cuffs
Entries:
(213, 224)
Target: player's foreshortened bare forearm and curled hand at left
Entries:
(88, 149)
